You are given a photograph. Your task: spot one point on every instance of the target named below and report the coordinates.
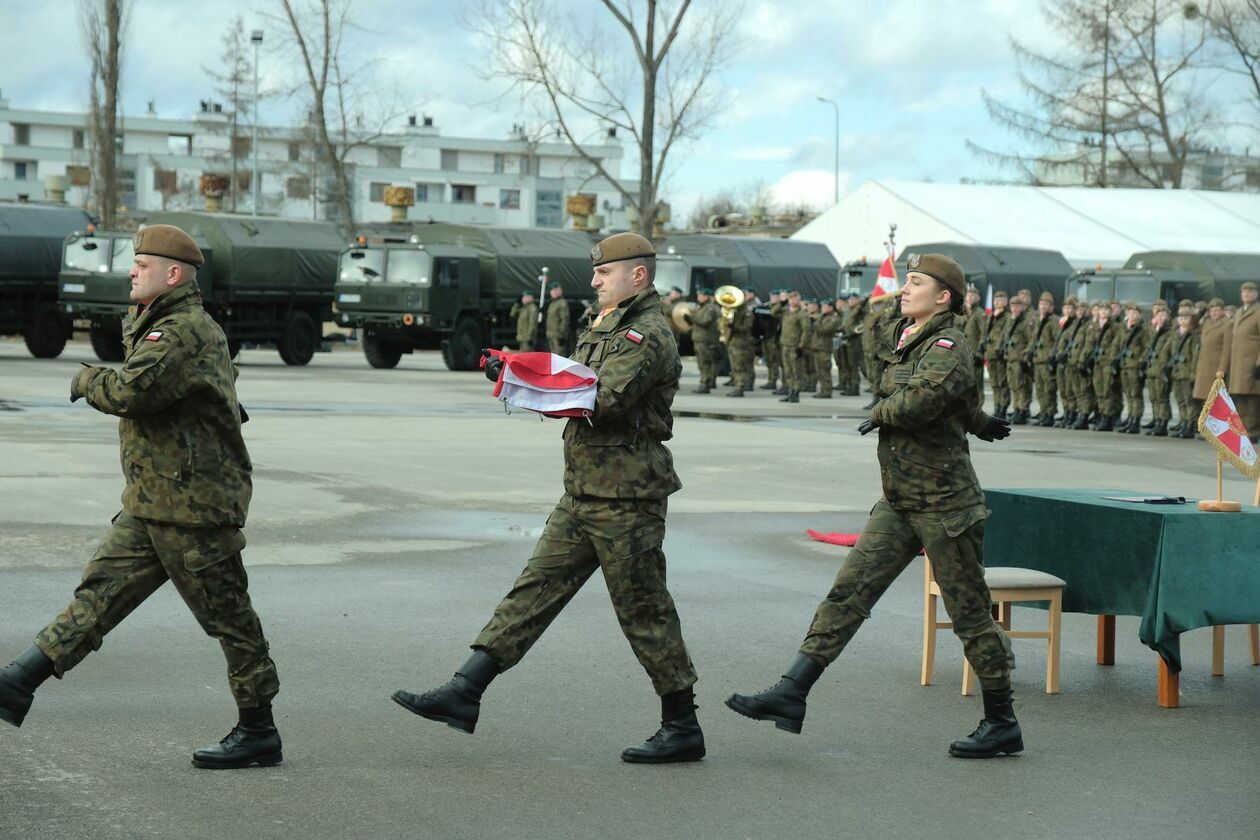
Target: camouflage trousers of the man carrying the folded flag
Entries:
(623, 538)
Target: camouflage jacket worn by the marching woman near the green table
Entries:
(928, 406)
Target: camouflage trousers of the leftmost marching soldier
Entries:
(134, 561)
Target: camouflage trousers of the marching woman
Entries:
(889, 543)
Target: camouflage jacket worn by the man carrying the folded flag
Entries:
(621, 454)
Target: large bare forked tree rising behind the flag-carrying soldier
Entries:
(656, 89)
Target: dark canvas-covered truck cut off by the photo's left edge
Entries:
(31, 256)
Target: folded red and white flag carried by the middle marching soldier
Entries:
(545, 383)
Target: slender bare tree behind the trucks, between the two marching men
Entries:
(347, 109)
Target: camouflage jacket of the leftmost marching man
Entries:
(183, 457)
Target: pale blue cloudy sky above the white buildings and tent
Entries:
(907, 75)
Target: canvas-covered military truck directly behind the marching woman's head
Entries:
(1005, 269)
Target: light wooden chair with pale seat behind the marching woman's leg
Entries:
(1007, 586)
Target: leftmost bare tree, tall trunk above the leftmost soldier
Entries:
(101, 25)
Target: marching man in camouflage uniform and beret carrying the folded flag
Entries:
(618, 478)
